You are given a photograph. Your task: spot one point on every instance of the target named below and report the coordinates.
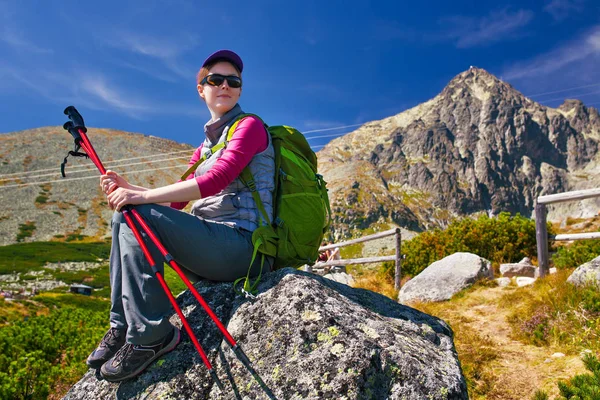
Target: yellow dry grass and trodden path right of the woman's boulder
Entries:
(497, 366)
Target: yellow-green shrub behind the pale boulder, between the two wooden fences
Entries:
(502, 239)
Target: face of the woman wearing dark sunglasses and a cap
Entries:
(222, 98)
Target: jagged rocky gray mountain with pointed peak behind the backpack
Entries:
(479, 146)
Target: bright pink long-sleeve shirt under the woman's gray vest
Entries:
(250, 138)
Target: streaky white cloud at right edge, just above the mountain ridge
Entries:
(578, 57)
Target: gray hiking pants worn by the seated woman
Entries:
(203, 250)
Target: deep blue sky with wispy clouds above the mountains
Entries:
(321, 66)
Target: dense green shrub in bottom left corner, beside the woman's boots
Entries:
(38, 352)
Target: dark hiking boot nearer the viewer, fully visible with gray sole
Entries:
(132, 359)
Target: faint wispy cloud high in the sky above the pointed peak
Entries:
(482, 31)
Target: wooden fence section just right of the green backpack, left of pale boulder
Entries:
(397, 258)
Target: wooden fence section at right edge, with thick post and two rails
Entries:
(541, 230)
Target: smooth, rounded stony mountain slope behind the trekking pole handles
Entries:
(37, 204)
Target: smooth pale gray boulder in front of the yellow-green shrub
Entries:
(446, 277)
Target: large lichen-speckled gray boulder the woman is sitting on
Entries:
(308, 338)
